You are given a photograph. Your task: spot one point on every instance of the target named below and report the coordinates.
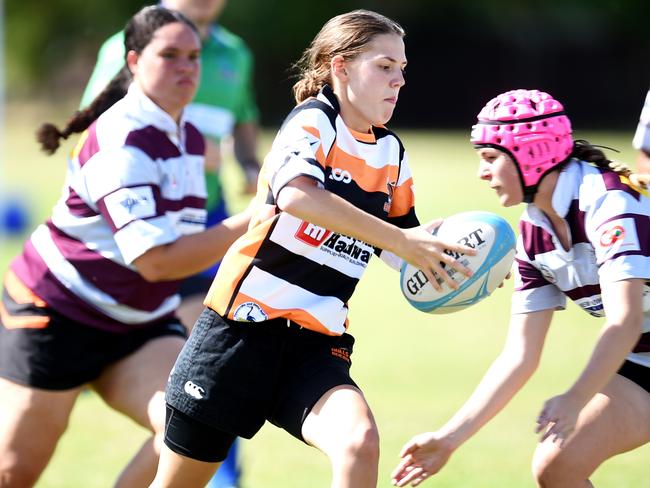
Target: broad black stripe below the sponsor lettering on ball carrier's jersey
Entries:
(305, 273)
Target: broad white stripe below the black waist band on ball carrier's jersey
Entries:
(280, 294)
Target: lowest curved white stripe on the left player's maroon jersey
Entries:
(71, 279)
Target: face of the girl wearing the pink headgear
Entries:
(499, 170)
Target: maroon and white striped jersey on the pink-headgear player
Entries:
(609, 228)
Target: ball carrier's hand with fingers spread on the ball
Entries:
(432, 255)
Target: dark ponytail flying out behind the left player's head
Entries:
(49, 136)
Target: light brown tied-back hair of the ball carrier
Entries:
(347, 35)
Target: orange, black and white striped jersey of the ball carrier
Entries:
(286, 267)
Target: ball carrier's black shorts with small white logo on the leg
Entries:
(233, 376)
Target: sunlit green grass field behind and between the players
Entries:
(415, 369)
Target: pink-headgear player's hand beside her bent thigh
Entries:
(558, 418)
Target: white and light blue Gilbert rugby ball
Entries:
(494, 241)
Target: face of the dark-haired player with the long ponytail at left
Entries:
(168, 68)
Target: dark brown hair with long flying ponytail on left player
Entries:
(138, 33)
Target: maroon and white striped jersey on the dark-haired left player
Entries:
(134, 182)
